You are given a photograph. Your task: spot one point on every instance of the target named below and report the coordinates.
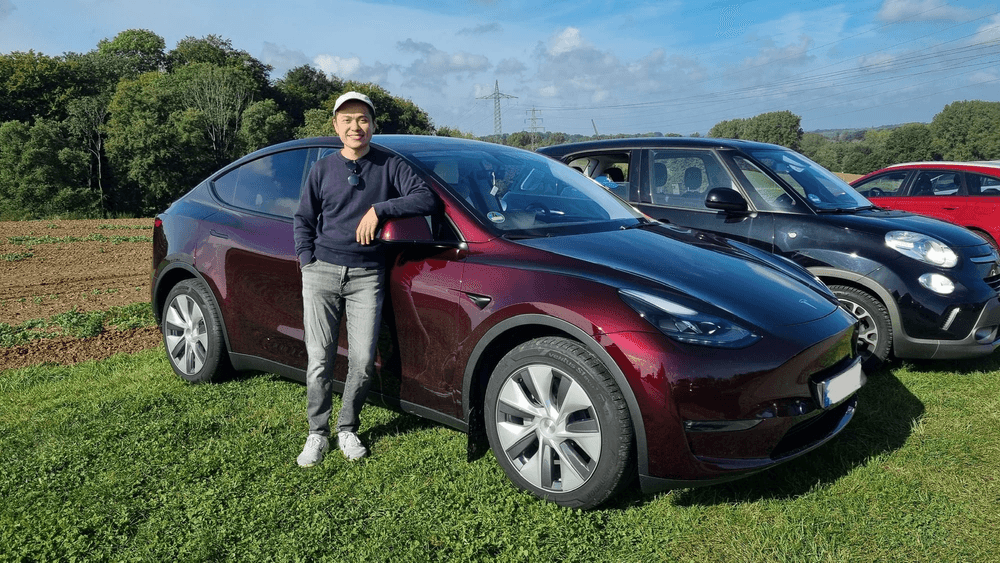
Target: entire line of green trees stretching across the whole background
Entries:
(126, 128)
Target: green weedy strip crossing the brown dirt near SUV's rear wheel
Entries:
(78, 324)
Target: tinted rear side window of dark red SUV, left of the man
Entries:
(270, 184)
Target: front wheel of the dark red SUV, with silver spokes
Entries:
(558, 423)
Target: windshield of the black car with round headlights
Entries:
(823, 189)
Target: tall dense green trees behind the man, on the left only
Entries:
(128, 127)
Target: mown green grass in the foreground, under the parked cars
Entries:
(121, 460)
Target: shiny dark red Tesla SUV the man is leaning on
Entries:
(590, 343)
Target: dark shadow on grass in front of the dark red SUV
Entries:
(882, 423)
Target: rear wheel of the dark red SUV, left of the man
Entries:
(192, 333)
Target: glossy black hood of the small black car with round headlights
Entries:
(880, 222)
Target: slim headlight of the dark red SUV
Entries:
(687, 325)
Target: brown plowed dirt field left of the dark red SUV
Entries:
(51, 266)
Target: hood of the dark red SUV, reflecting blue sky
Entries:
(698, 265)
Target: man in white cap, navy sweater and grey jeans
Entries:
(346, 196)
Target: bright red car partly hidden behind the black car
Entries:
(964, 193)
